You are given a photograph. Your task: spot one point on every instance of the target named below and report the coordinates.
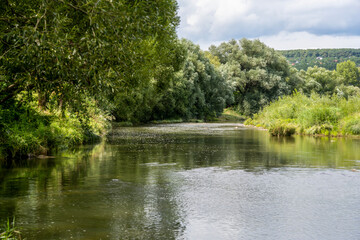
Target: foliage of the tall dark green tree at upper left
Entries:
(64, 49)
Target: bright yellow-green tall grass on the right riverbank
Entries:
(312, 115)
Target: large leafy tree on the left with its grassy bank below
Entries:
(67, 66)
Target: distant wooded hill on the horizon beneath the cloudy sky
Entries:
(326, 58)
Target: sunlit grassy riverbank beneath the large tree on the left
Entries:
(28, 130)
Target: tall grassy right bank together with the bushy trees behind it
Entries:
(327, 103)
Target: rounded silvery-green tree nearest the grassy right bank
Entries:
(258, 73)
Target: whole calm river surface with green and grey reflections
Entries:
(189, 181)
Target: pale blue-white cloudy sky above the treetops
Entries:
(280, 24)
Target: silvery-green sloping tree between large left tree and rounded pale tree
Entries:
(198, 90)
